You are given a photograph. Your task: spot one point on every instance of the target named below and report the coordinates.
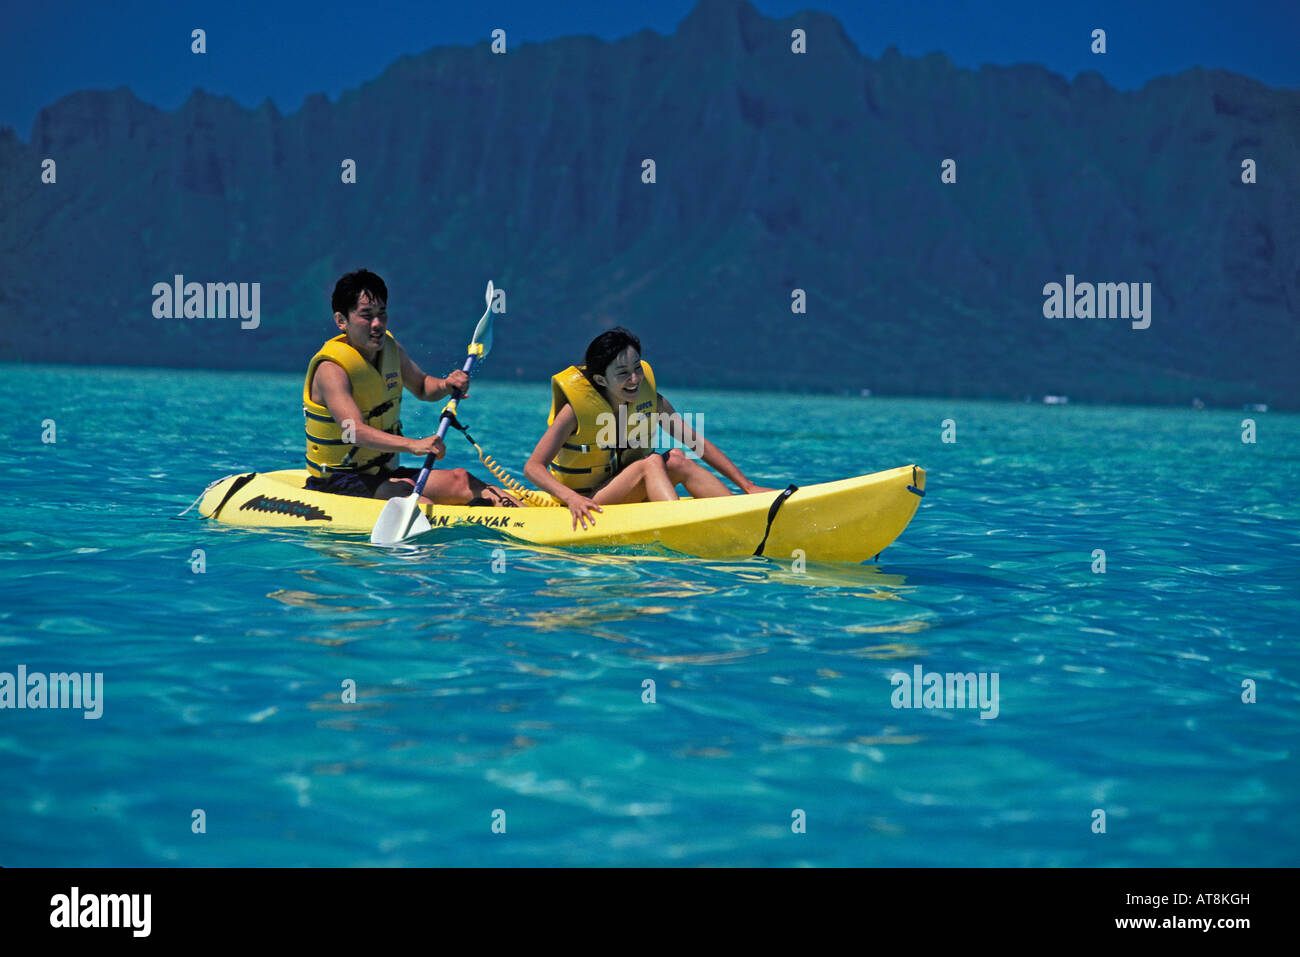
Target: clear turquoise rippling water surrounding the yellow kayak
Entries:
(522, 691)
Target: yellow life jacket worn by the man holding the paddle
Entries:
(379, 397)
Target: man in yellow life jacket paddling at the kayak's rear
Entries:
(353, 404)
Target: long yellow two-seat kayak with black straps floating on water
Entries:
(847, 521)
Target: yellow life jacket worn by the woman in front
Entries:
(584, 464)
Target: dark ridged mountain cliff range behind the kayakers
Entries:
(774, 172)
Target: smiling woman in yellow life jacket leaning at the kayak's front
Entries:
(597, 449)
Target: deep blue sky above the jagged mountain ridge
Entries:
(288, 49)
